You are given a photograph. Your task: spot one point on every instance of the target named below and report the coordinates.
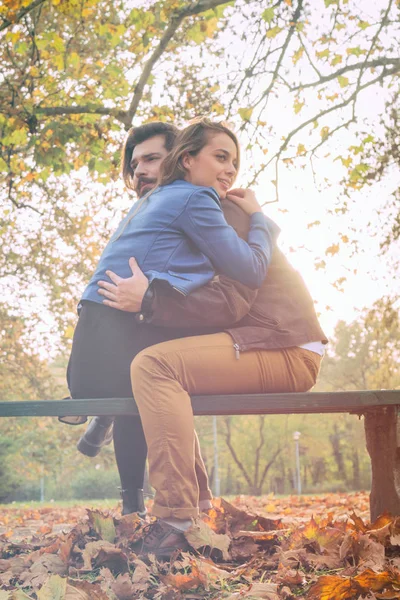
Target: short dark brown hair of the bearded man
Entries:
(137, 135)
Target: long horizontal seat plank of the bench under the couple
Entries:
(240, 404)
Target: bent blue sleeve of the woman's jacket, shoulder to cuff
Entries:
(247, 262)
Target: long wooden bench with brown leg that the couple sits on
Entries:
(379, 407)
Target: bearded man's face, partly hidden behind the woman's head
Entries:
(146, 162)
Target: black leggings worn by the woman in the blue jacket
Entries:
(105, 342)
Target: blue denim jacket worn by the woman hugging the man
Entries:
(180, 235)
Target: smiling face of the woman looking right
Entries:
(215, 165)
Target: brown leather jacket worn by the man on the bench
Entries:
(278, 315)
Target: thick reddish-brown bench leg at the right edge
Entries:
(382, 432)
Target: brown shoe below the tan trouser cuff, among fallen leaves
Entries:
(163, 540)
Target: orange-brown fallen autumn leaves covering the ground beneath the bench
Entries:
(319, 548)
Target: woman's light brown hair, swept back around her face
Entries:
(191, 140)
